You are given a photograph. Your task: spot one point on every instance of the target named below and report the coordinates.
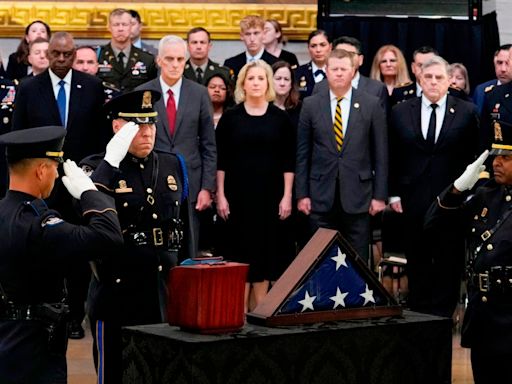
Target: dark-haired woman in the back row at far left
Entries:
(18, 65)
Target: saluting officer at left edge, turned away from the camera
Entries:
(35, 248)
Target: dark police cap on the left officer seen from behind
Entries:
(41, 142)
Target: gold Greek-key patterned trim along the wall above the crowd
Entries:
(89, 19)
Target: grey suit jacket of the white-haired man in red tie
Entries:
(194, 137)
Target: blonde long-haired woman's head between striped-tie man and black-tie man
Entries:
(389, 67)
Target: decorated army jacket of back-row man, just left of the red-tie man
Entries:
(140, 68)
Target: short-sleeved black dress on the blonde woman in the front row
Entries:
(254, 152)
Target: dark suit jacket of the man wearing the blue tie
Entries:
(87, 130)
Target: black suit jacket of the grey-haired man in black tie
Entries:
(418, 173)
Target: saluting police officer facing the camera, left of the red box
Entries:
(149, 189)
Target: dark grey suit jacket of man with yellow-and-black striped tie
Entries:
(362, 166)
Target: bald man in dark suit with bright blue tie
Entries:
(37, 104)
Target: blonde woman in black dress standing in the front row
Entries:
(256, 161)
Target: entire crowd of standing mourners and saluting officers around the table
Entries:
(244, 160)
